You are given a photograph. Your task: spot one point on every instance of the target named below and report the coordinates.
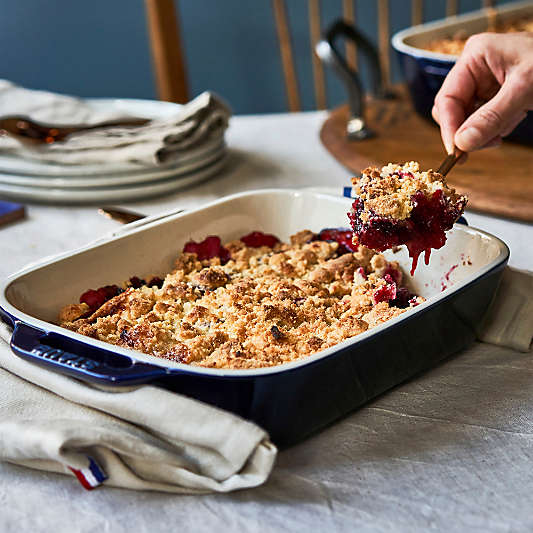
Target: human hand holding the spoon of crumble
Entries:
(487, 93)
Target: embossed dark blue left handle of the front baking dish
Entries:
(73, 358)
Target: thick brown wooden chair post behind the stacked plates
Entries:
(165, 43)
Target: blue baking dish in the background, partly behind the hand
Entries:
(424, 71)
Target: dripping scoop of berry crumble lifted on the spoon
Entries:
(399, 204)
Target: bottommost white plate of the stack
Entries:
(110, 194)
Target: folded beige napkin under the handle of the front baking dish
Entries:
(143, 438)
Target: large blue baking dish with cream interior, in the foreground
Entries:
(290, 401)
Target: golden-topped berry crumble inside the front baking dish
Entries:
(250, 303)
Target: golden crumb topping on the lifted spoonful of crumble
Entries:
(388, 191)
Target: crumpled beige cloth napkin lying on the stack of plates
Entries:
(160, 141)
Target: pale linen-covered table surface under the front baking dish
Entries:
(450, 450)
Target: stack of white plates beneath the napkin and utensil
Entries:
(28, 180)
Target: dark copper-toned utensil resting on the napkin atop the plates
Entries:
(26, 130)
